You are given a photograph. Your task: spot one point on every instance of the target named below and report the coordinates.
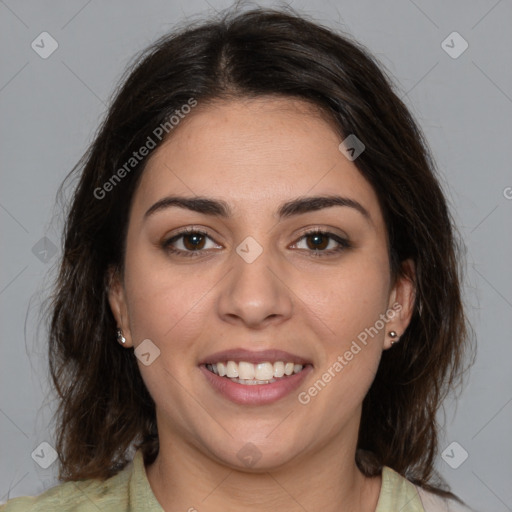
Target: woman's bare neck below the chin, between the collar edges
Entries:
(185, 478)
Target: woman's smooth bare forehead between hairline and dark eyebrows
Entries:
(253, 153)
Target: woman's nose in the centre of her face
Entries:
(255, 293)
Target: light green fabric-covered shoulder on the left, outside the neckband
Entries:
(78, 496)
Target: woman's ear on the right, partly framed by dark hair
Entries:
(401, 301)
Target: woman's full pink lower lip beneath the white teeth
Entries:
(257, 394)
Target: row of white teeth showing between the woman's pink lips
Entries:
(249, 373)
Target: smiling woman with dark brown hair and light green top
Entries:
(259, 296)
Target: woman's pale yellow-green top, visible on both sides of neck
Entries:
(129, 491)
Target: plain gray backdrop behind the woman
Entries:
(51, 107)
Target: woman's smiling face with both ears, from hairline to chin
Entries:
(233, 266)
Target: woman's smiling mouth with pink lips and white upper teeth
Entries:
(255, 378)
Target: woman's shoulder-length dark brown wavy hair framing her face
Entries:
(105, 408)
